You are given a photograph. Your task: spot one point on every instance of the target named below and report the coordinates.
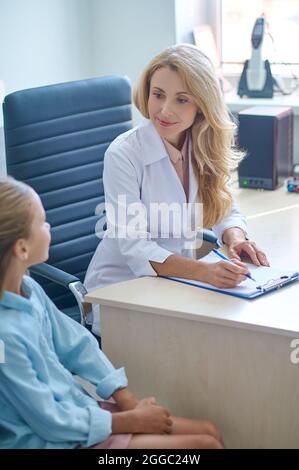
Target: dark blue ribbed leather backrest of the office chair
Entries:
(55, 139)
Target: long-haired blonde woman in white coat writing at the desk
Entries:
(181, 154)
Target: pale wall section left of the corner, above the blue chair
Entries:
(42, 42)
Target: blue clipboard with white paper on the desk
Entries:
(268, 280)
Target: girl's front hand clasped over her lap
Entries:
(152, 418)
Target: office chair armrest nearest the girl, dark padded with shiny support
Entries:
(68, 281)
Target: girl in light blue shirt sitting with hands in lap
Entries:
(42, 404)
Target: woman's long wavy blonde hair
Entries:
(213, 154)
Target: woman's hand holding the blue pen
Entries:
(223, 274)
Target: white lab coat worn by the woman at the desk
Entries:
(137, 164)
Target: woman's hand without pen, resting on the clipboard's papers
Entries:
(238, 246)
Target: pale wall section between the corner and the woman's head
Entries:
(127, 34)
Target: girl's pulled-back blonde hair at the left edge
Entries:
(15, 219)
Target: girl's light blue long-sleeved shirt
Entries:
(41, 404)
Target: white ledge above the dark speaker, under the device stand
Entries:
(237, 104)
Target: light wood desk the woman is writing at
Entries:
(207, 355)
